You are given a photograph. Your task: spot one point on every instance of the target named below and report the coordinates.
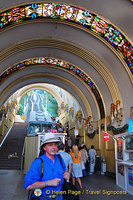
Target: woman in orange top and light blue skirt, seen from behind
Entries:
(76, 168)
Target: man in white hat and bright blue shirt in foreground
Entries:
(53, 173)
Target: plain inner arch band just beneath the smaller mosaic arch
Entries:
(56, 80)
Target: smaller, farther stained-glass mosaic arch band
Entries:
(61, 64)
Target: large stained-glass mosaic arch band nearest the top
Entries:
(73, 14)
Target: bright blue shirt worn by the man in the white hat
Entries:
(51, 171)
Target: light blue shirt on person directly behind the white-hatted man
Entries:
(66, 157)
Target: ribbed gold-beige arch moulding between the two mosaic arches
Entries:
(56, 43)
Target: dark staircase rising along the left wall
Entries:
(11, 150)
